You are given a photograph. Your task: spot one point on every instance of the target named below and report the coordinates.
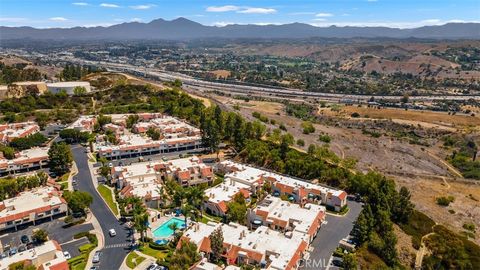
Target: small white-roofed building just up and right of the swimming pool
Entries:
(219, 196)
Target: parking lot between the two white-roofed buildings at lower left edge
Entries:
(53, 228)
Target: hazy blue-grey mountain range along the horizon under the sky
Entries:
(184, 29)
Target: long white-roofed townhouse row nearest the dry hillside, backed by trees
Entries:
(297, 190)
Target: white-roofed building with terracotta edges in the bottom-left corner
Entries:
(48, 256)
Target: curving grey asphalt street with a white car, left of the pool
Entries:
(116, 248)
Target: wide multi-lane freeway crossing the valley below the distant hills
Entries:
(288, 93)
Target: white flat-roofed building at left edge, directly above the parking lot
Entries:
(30, 207)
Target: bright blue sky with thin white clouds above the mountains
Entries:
(392, 13)
